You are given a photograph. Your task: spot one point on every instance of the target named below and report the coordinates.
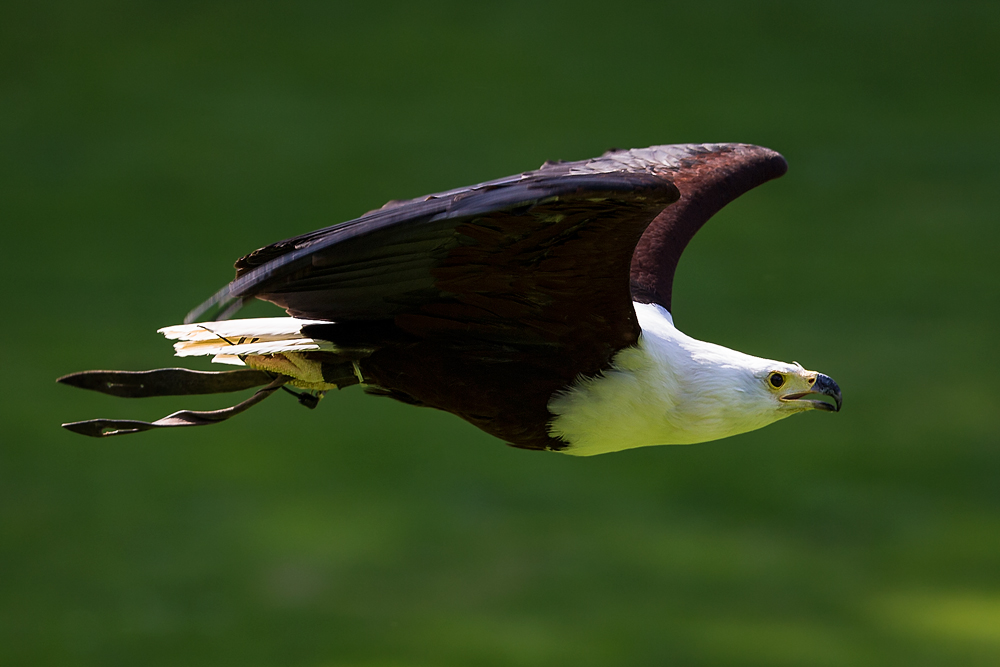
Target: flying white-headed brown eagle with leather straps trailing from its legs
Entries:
(536, 307)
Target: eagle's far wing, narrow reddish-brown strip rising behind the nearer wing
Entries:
(709, 177)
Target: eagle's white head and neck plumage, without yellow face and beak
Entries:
(668, 389)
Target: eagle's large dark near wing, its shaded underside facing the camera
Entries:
(526, 260)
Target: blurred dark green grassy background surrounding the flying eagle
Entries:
(145, 146)
